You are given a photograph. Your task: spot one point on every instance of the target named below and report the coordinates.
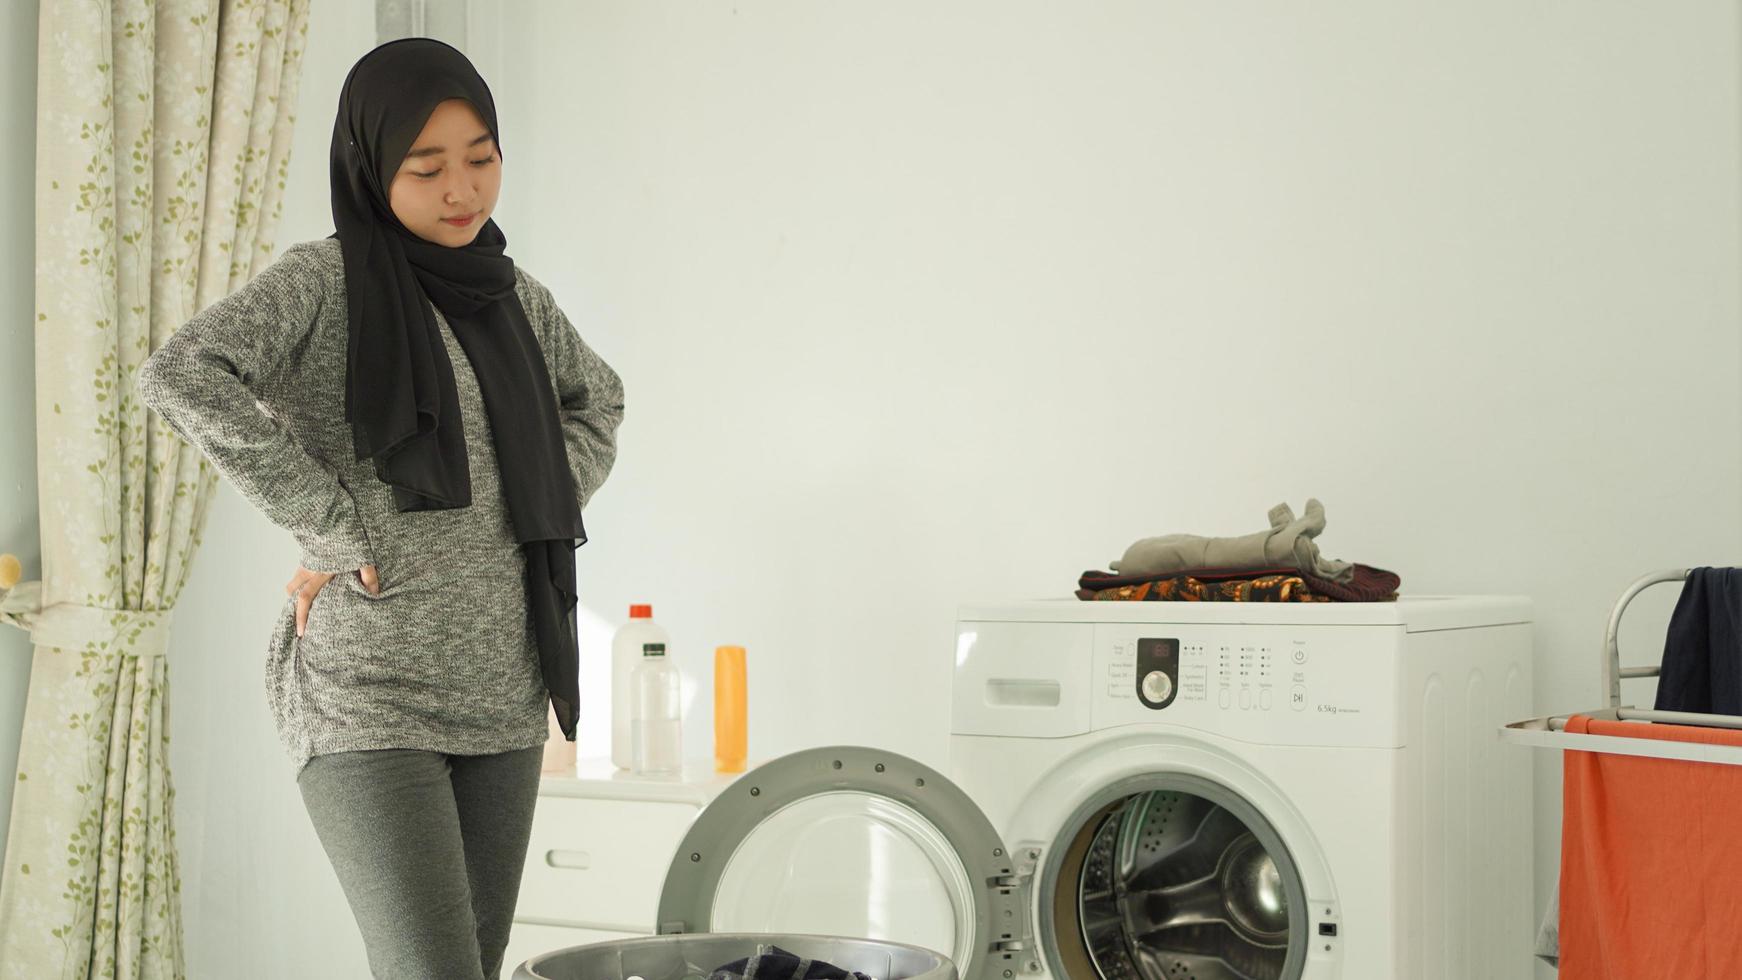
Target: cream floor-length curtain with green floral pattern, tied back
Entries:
(163, 147)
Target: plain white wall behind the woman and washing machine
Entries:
(926, 304)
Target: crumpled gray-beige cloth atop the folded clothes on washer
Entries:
(1288, 544)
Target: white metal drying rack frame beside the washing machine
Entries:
(1551, 732)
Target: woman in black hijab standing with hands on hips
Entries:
(436, 429)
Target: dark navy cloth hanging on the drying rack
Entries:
(1703, 650)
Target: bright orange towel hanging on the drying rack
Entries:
(1651, 861)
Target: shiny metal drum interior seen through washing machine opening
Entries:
(1178, 887)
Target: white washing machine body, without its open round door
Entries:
(1222, 791)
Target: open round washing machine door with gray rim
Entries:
(856, 843)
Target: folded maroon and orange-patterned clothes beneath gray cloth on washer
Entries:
(1367, 584)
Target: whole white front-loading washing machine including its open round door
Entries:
(1163, 791)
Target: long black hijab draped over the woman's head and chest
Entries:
(400, 393)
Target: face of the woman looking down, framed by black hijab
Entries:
(452, 171)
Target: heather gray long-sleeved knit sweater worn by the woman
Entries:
(445, 657)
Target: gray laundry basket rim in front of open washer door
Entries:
(692, 957)
